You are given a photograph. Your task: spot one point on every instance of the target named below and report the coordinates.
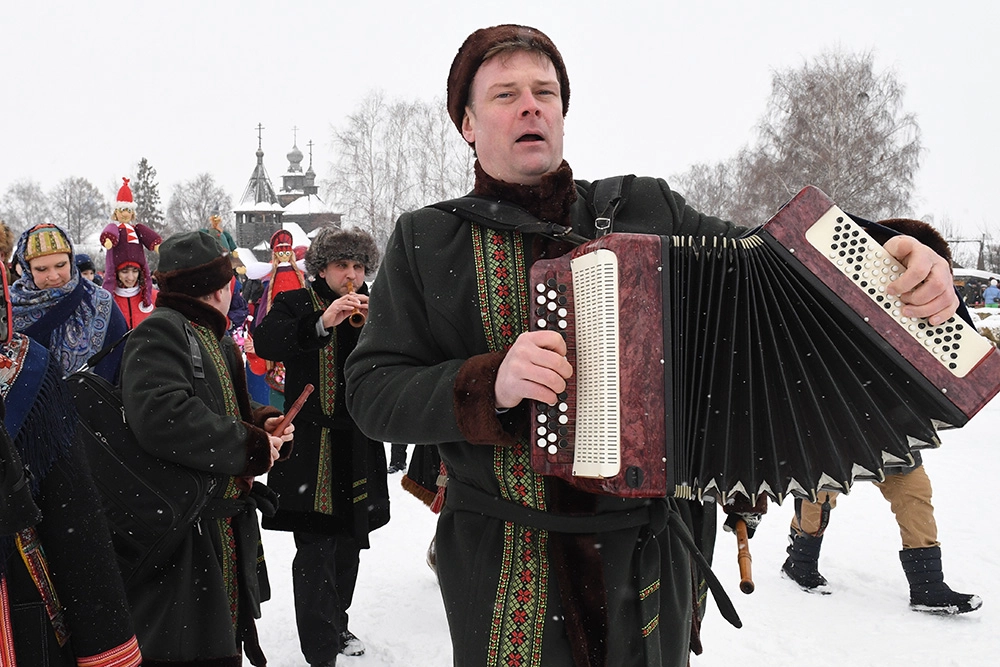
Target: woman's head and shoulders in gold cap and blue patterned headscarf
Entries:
(52, 304)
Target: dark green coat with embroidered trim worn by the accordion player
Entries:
(423, 372)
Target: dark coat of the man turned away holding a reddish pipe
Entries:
(182, 612)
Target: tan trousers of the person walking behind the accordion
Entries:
(909, 497)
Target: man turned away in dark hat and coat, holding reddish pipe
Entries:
(194, 410)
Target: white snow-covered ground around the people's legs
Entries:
(397, 610)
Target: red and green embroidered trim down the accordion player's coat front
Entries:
(518, 622)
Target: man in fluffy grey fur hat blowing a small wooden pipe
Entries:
(333, 487)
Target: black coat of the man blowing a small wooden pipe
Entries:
(356, 480)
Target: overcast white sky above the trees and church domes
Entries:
(91, 87)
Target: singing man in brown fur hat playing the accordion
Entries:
(532, 570)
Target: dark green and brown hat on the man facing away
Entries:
(193, 263)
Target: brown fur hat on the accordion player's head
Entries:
(485, 43)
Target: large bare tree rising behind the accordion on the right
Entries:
(835, 123)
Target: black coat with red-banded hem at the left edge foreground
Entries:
(74, 537)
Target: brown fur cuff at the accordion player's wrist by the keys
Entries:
(475, 401)
